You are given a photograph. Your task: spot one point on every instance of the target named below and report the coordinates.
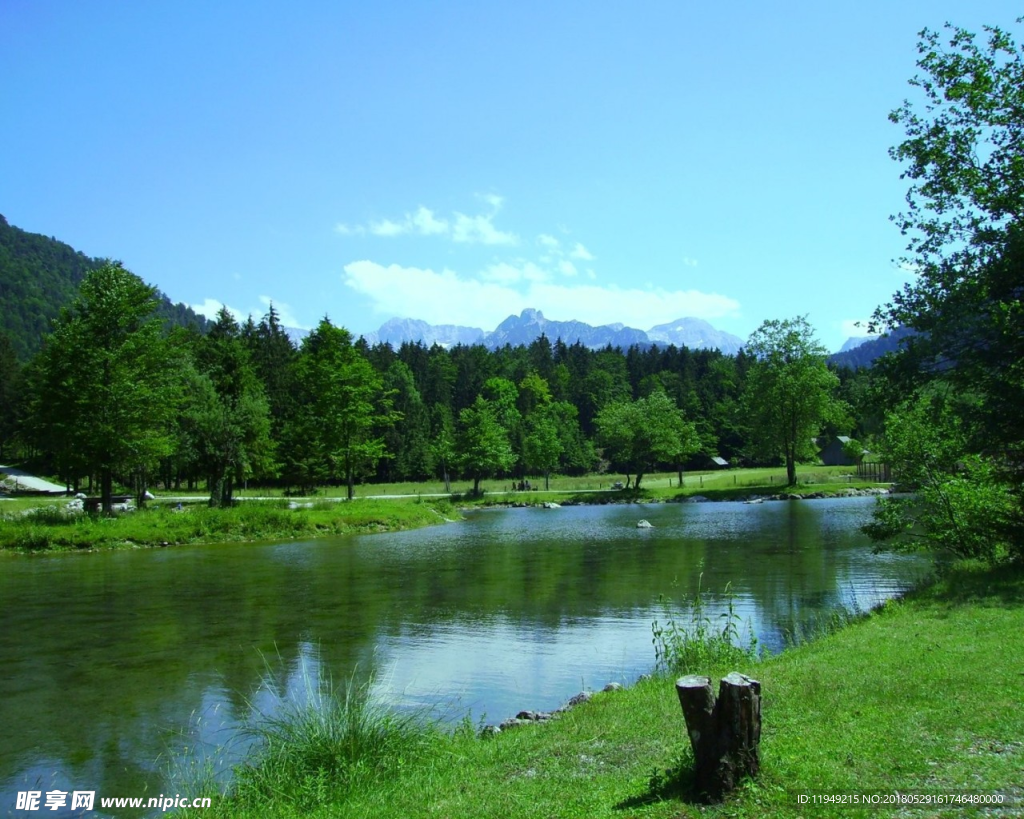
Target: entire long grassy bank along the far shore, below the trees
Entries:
(34, 525)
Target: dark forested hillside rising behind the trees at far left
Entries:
(39, 276)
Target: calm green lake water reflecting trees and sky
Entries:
(115, 667)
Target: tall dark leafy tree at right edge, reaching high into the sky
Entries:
(963, 153)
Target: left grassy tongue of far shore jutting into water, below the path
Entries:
(50, 528)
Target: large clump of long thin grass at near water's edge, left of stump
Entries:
(323, 750)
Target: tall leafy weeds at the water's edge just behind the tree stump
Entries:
(698, 644)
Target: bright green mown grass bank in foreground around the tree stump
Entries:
(924, 697)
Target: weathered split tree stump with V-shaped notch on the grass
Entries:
(726, 735)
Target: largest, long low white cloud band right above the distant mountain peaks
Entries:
(447, 297)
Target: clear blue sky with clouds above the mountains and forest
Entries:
(458, 162)
